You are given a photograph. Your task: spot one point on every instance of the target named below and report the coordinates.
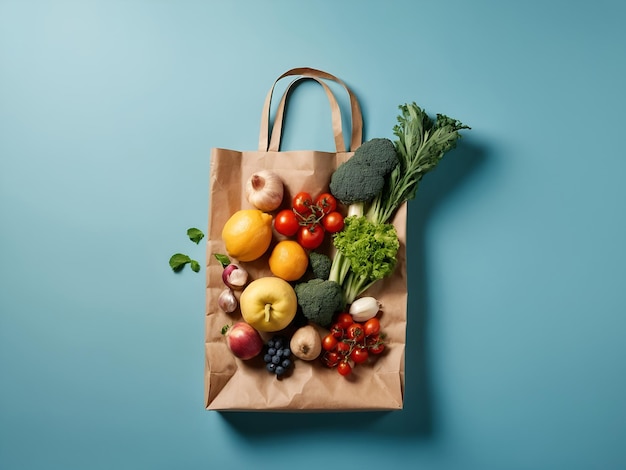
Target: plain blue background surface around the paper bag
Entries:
(108, 111)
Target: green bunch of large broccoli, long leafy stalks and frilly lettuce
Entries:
(374, 183)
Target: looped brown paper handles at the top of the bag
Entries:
(356, 116)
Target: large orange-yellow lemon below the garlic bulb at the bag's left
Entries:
(247, 234)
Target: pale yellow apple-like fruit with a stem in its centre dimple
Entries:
(268, 304)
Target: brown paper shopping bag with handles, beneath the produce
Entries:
(233, 384)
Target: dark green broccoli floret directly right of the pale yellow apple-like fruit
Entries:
(319, 299)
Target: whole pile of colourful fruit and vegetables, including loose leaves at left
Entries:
(314, 306)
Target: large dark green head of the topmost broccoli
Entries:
(362, 177)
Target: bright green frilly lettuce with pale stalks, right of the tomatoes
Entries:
(366, 253)
